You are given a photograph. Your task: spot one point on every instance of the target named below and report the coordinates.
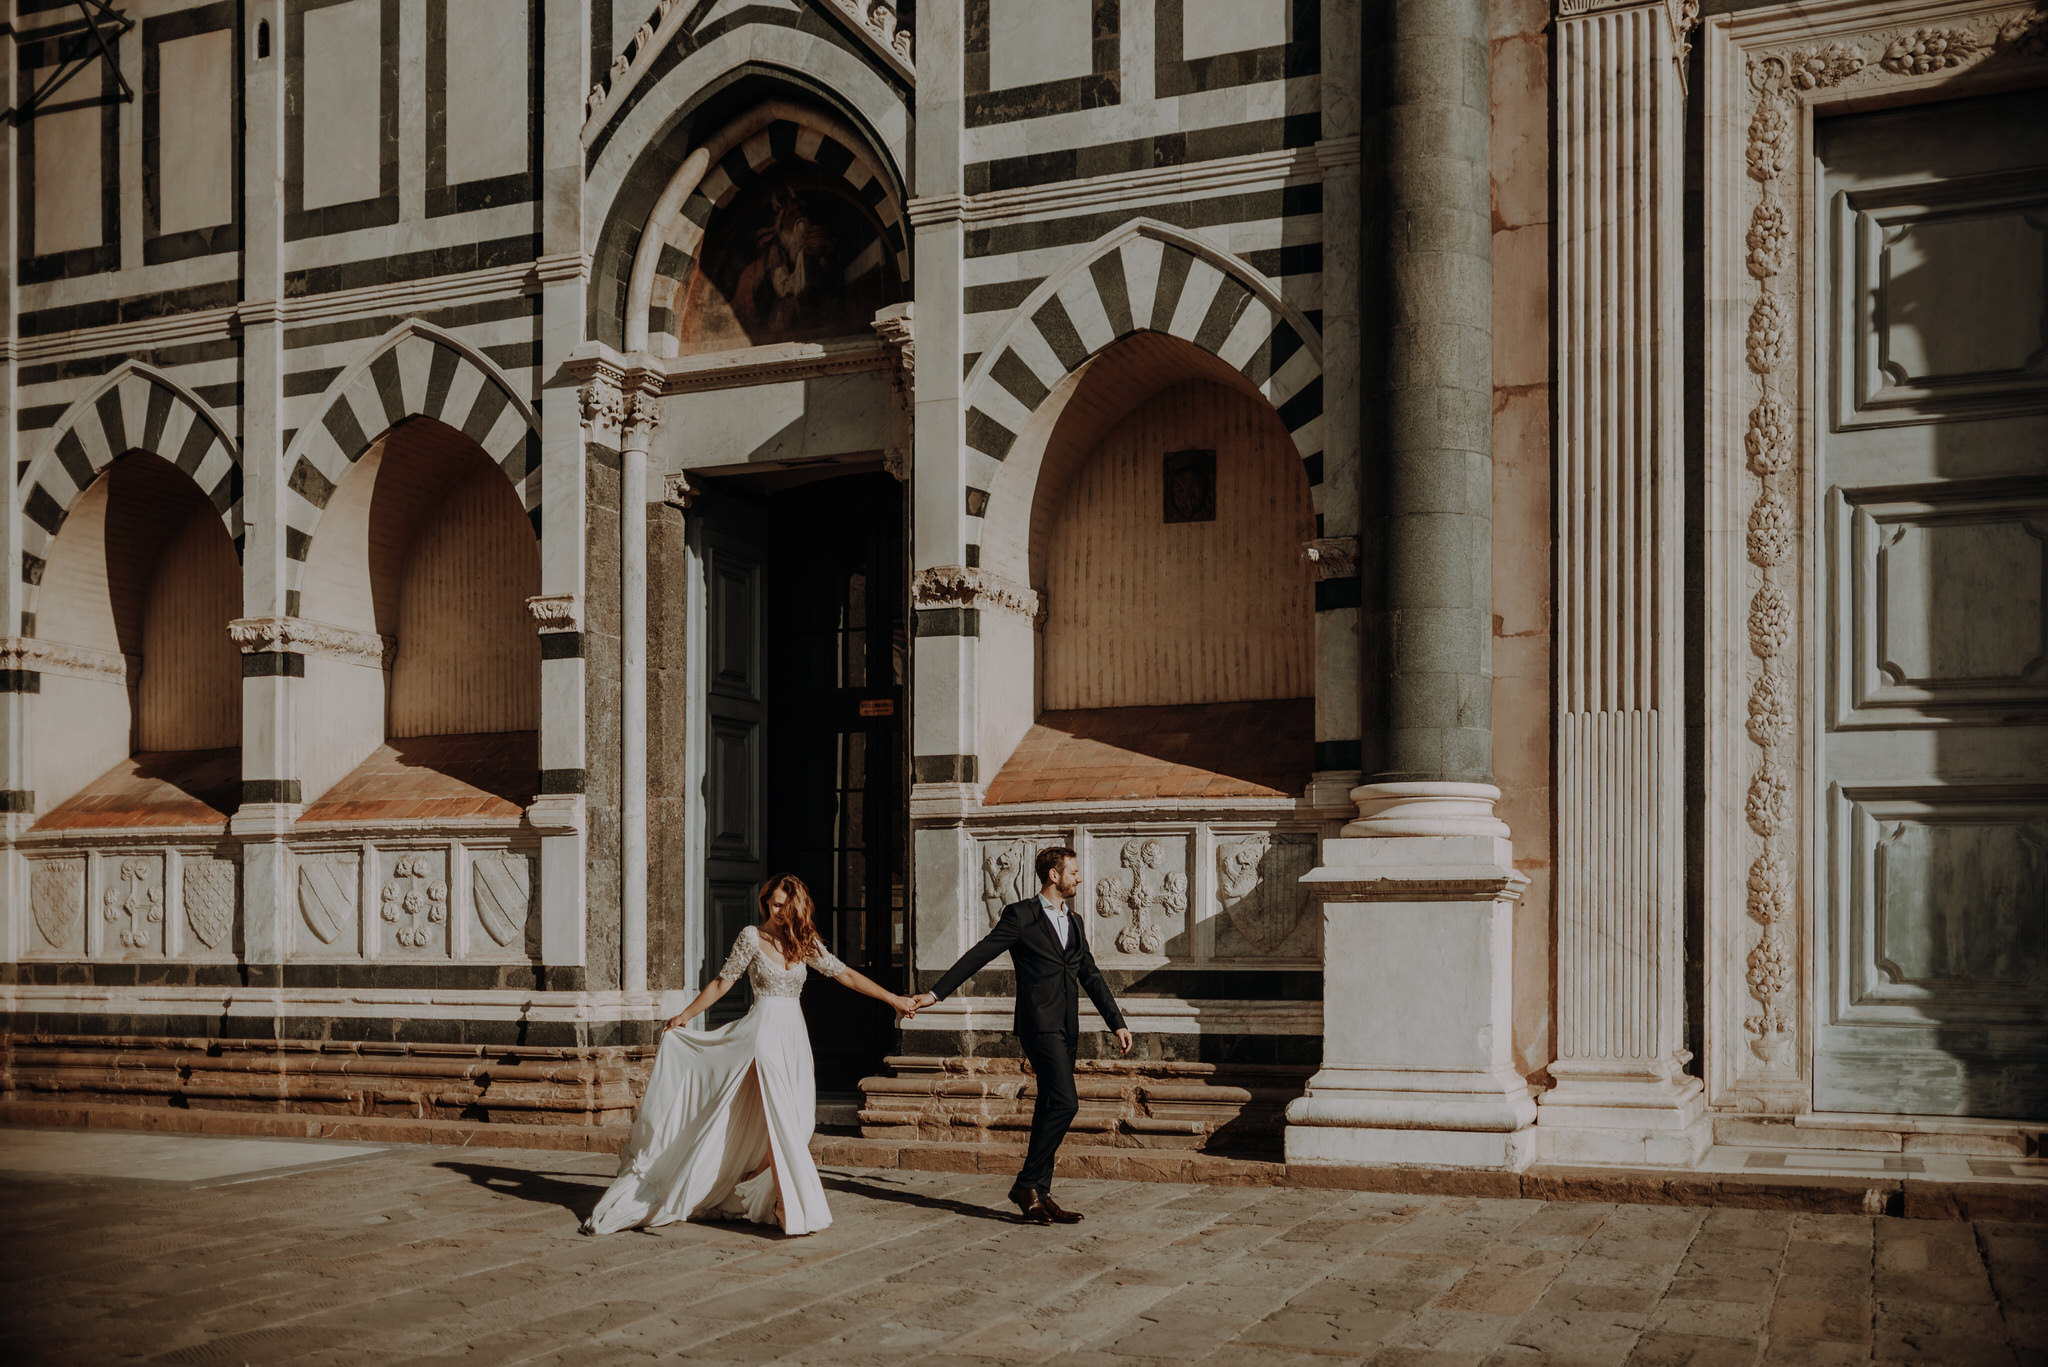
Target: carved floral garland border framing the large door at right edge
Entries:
(1781, 81)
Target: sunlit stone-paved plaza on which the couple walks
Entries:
(234, 1251)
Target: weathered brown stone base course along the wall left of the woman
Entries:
(417, 1081)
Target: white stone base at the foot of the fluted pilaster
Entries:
(1656, 1122)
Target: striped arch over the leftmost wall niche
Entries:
(134, 409)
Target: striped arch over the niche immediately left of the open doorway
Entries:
(415, 372)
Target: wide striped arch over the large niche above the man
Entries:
(1150, 278)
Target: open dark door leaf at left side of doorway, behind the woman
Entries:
(736, 716)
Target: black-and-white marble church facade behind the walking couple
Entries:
(1539, 780)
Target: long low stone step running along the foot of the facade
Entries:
(1916, 1198)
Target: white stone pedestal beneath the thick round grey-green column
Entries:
(1418, 1050)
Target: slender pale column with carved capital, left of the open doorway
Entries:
(642, 417)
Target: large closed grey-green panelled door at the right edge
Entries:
(1932, 895)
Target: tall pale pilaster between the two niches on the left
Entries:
(271, 798)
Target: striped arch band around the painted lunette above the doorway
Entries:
(781, 140)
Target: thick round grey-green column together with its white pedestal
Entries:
(1418, 897)
